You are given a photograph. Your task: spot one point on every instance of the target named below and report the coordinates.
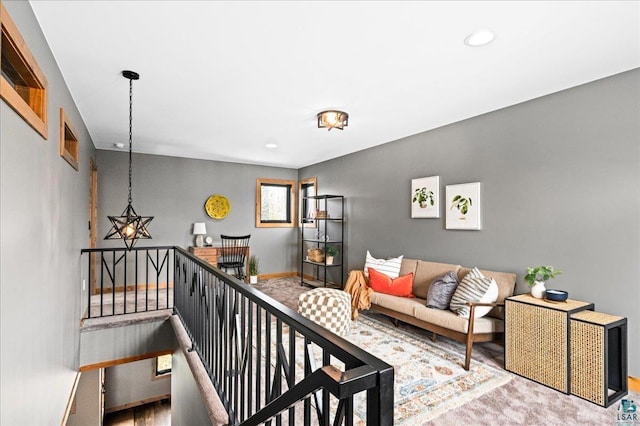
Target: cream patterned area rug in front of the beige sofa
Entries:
(429, 379)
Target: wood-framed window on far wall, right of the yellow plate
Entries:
(275, 201)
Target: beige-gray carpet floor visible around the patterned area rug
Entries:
(518, 402)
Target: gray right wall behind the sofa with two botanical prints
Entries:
(560, 186)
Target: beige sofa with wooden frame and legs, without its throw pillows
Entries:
(445, 322)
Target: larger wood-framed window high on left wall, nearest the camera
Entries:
(23, 85)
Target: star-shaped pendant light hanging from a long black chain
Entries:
(129, 226)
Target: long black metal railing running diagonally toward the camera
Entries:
(261, 355)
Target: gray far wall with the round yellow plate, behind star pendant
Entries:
(174, 190)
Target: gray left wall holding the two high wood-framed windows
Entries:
(43, 222)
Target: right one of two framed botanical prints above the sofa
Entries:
(463, 206)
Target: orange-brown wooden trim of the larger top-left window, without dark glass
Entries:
(33, 112)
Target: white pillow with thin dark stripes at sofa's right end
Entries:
(474, 287)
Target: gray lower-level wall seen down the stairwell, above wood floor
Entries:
(134, 382)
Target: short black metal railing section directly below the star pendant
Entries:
(122, 281)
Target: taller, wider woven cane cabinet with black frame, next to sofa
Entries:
(537, 343)
